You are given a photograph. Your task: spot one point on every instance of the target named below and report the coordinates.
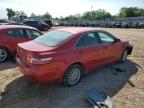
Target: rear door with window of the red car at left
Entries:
(15, 36)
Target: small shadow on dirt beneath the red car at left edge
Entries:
(9, 64)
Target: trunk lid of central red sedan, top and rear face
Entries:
(28, 50)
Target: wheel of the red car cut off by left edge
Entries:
(3, 54)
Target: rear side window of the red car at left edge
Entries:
(16, 33)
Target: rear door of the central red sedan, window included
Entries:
(90, 51)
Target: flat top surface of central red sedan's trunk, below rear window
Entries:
(34, 47)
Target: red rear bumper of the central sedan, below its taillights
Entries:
(40, 74)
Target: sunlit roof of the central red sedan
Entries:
(76, 30)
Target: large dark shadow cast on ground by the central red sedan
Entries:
(22, 93)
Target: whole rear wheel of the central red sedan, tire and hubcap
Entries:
(73, 75)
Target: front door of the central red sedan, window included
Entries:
(112, 49)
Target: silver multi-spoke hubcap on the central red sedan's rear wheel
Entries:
(74, 76)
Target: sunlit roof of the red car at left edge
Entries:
(14, 26)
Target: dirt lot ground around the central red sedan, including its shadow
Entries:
(125, 88)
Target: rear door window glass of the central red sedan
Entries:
(88, 39)
